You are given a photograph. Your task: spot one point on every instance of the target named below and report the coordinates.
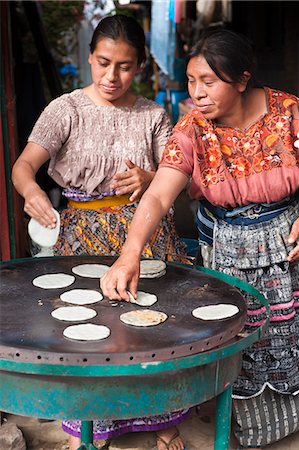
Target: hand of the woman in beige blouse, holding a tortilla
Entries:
(38, 206)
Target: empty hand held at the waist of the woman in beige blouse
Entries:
(133, 181)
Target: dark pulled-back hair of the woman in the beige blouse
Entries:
(120, 27)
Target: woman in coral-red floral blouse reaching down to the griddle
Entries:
(239, 150)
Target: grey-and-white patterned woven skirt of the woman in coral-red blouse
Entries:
(266, 393)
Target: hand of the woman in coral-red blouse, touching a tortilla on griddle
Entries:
(121, 277)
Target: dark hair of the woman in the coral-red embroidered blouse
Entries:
(229, 54)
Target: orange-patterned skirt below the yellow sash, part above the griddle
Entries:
(104, 231)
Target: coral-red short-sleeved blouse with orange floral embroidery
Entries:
(231, 167)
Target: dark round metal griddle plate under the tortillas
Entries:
(29, 332)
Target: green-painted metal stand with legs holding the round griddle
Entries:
(59, 391)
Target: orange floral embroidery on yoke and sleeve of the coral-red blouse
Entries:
(265, 145)
